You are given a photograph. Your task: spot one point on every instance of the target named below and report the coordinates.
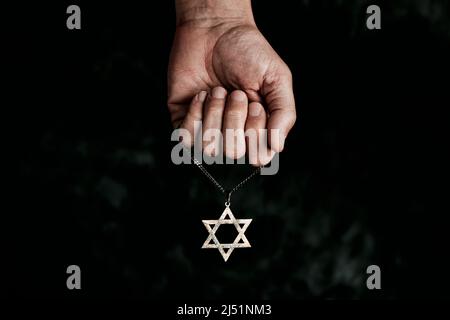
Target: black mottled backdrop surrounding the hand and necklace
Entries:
(361, 180)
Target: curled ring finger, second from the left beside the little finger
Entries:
(212, 121)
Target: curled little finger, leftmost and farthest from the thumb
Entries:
(191, 121)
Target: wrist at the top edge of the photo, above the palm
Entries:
(211, 13)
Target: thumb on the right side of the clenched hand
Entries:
(279, 96)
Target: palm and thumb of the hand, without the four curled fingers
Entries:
(235, 56)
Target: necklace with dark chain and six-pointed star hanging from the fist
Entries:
(227, 217)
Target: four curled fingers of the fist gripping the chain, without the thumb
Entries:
(242, 124)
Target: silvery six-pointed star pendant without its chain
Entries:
(227, 248)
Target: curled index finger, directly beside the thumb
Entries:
(256, 136)
